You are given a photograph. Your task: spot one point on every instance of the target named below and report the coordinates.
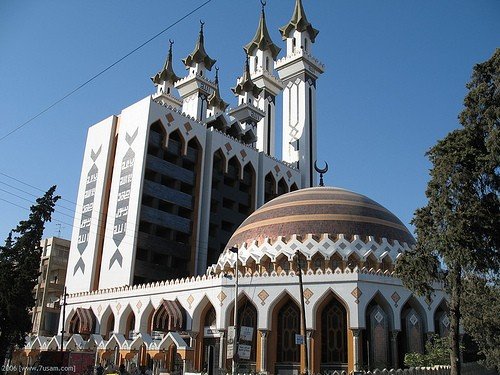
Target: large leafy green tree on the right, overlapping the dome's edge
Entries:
(458, 231)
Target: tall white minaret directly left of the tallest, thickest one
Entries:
(263, 52)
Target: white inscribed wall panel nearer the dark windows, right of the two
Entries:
(125, 197)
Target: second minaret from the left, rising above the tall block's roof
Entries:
(196, 87)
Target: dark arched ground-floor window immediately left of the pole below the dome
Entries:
(288, 327)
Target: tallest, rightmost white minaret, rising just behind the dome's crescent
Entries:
(299, 71)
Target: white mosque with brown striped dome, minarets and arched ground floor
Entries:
(183, 206)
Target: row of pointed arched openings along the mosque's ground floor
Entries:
(333, 345)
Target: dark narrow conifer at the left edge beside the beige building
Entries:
(19, 271)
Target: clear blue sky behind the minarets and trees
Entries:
(394, 83)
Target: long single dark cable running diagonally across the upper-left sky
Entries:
(102, 72)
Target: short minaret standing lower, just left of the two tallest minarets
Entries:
(246, 112)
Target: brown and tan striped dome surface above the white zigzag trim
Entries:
(321, 210)
